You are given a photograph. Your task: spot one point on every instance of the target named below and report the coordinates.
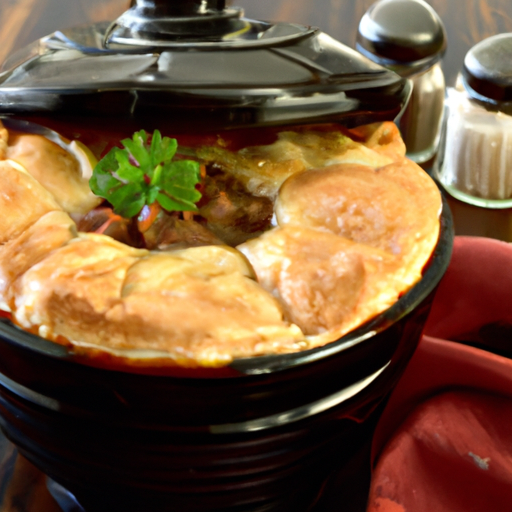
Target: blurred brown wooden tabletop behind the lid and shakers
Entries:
(467, 21)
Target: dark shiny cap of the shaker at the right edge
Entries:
(487, 71)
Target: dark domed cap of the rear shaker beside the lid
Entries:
(407, 35)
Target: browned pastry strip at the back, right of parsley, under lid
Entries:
(263, 169)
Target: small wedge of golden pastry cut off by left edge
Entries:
(23, 200)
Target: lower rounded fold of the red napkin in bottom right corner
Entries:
(453, 454)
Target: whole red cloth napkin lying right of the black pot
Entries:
(444, 442)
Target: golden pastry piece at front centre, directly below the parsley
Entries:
(199, 311)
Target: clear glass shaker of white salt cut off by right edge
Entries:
(474, 164)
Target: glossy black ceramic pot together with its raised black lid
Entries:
(264, 433)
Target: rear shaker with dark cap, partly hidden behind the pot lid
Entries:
(408, 37)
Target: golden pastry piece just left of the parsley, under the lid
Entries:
(64, 174)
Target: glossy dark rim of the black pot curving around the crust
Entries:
(433, 273)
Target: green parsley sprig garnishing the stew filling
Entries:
(143, 173)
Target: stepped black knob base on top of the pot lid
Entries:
(159, 22)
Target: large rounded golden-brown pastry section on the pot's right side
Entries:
(352, 239)
